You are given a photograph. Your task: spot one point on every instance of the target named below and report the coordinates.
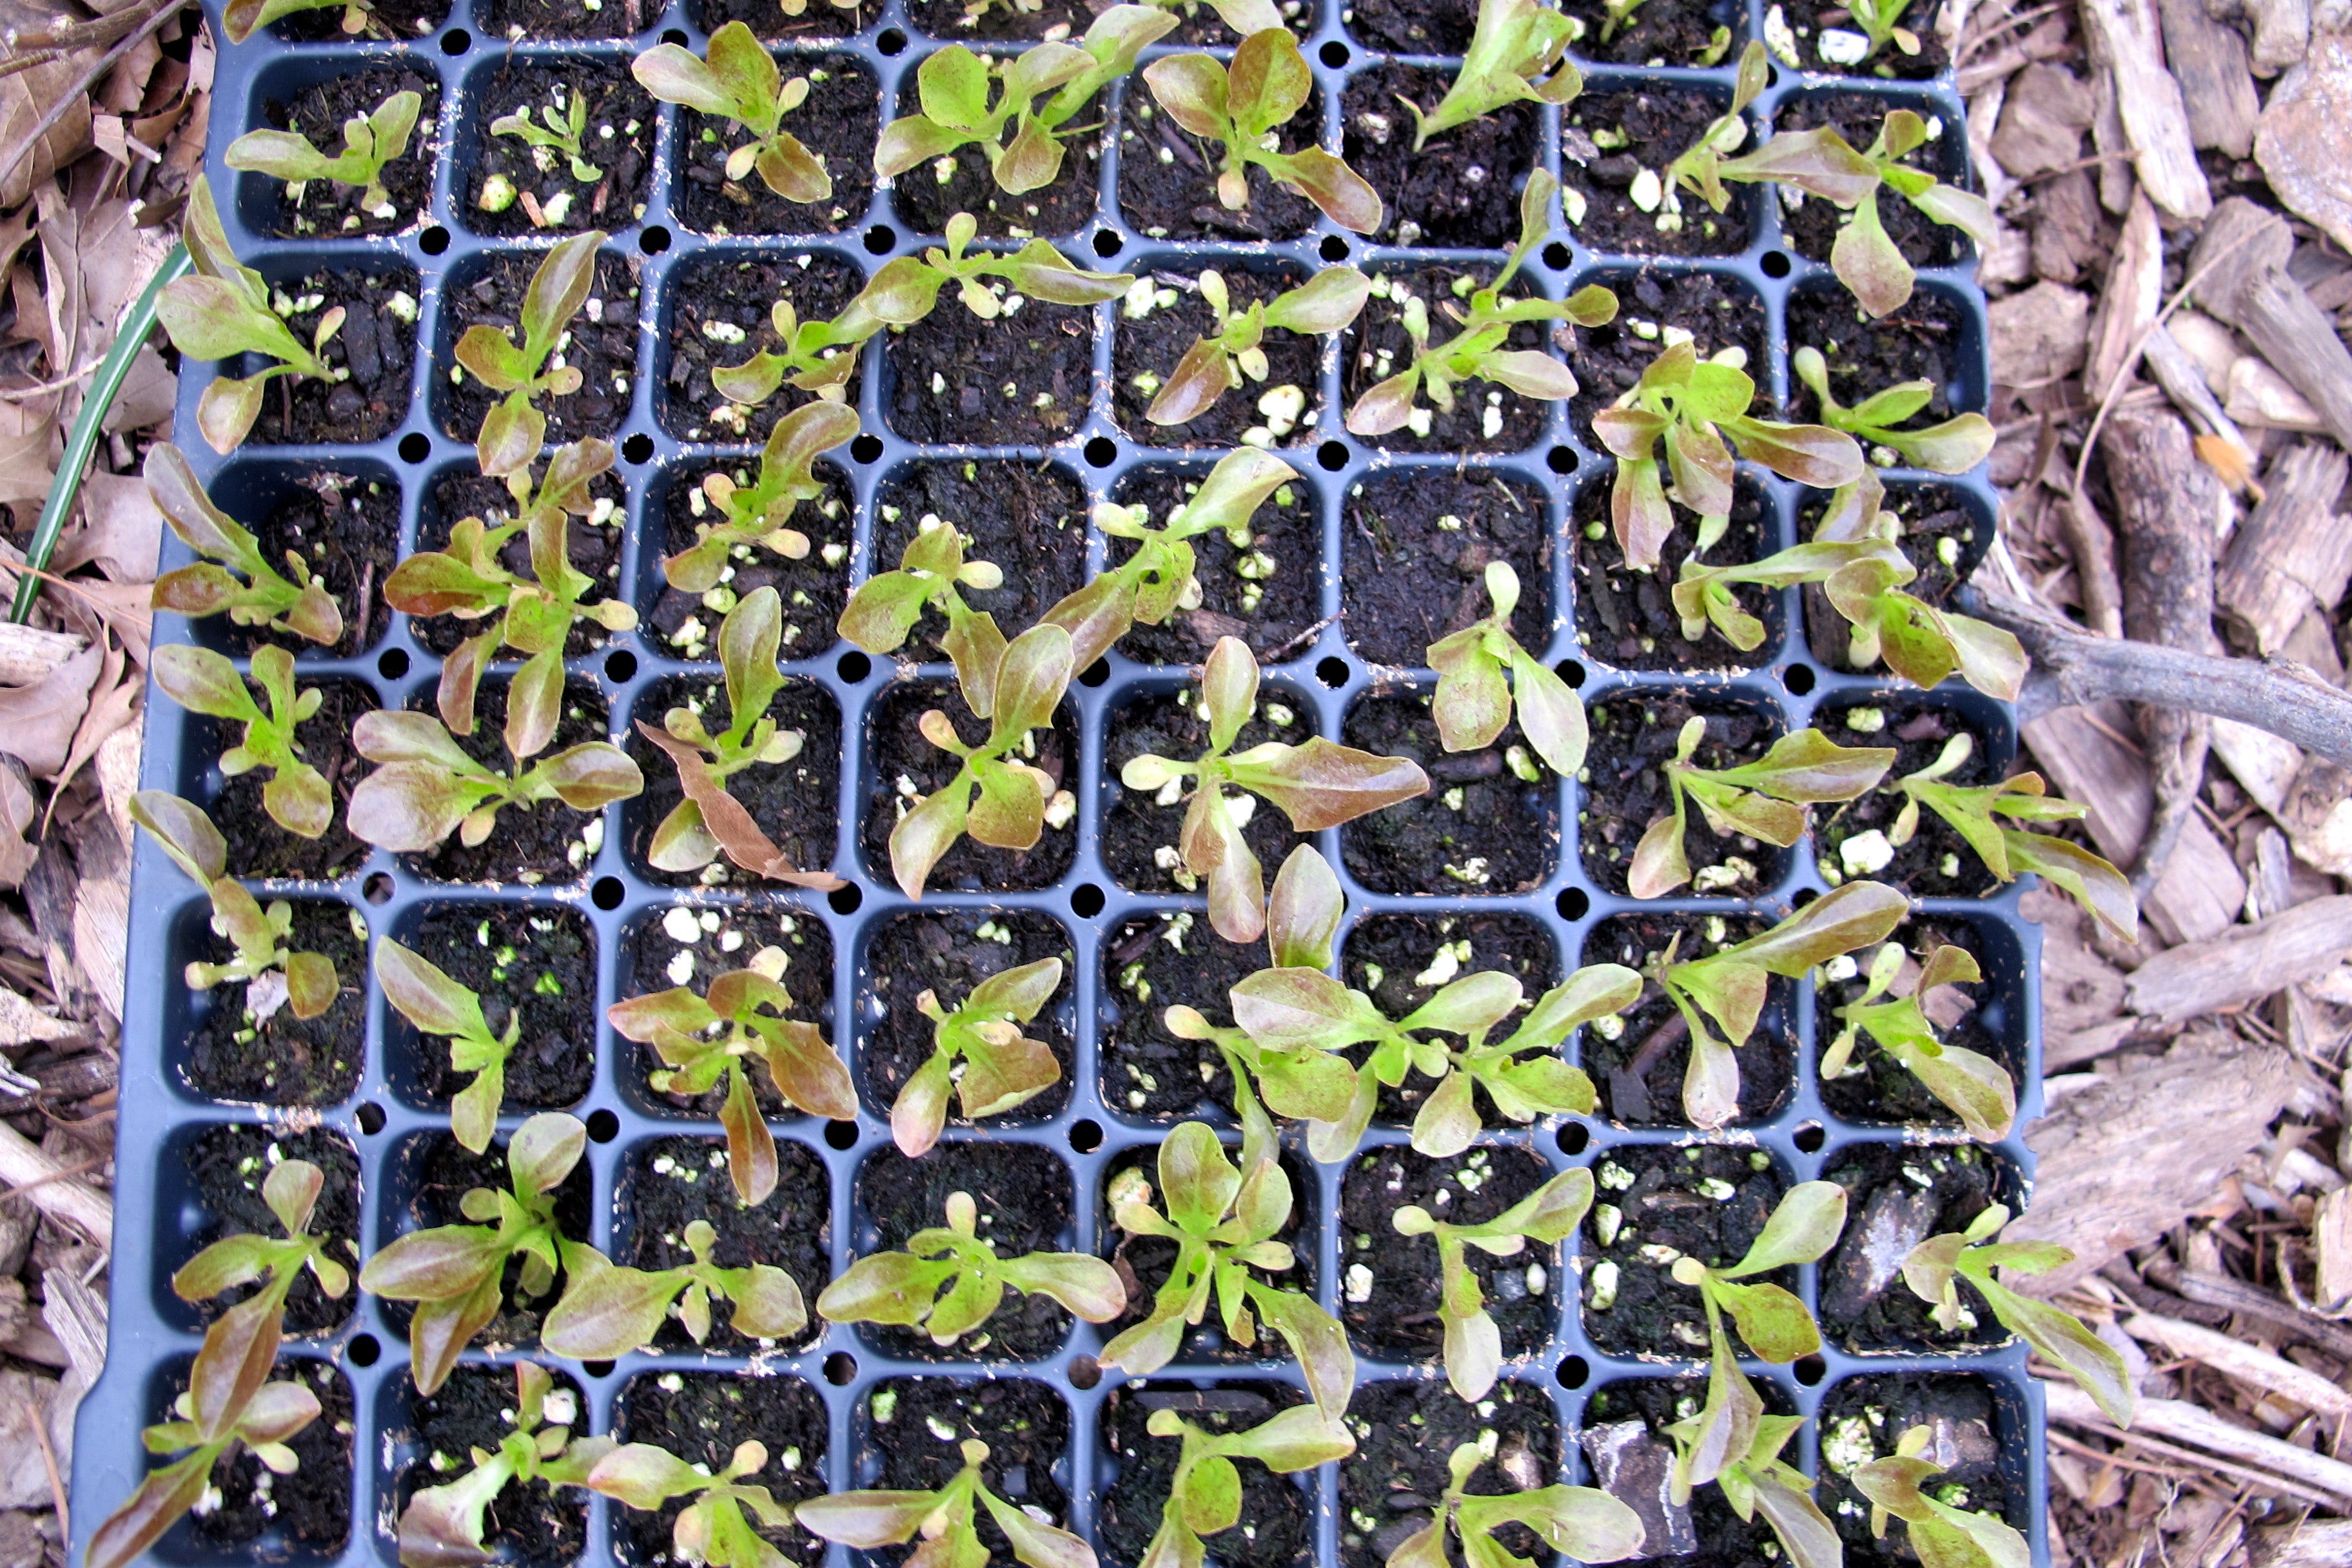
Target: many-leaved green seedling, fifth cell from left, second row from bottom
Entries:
(1224, 1226)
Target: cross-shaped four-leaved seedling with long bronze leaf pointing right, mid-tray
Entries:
(1318, 784)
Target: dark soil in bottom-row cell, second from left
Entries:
(476, 1409)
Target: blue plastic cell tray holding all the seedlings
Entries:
(385, 1120)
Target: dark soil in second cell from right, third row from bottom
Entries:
(1657, 1031)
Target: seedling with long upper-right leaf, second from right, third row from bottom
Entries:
(1730, 986)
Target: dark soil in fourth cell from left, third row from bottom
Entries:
(949, 953)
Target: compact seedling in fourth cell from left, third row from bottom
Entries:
(1001, 1066)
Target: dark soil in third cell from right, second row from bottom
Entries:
(1391, 1311)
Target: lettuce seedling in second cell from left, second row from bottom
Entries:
(453, 1273)
